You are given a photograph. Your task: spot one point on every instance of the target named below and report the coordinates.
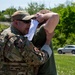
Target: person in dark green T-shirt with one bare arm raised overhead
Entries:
(48, 21)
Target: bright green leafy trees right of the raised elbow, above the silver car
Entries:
(65, 30)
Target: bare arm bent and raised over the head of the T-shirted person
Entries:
(51, 18)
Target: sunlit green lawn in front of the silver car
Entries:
(65, 64)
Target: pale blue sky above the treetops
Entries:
(4, 4)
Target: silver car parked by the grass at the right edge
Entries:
(67, 49)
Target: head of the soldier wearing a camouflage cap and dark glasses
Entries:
(21, 20)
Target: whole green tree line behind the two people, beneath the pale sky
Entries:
(65, 30)
